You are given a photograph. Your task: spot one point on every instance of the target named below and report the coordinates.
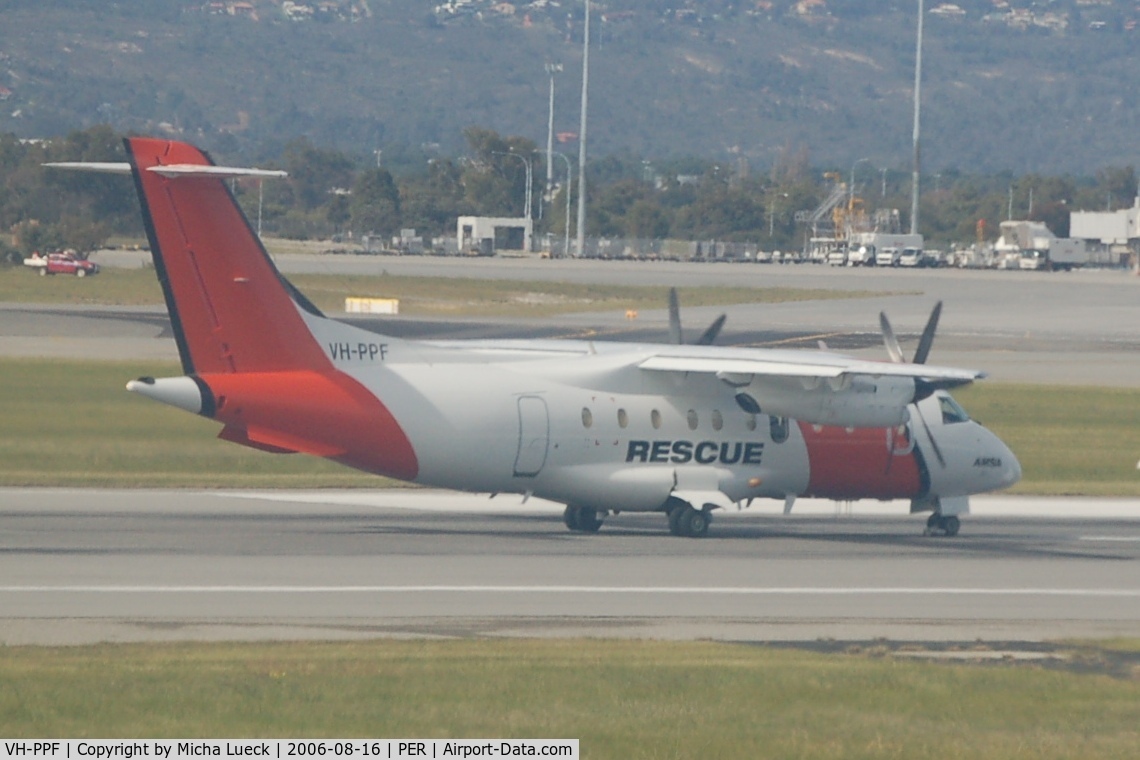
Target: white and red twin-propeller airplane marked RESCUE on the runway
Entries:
(602, 428)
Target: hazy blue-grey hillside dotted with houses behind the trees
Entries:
(1044, 88)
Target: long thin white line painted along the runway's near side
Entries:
(575, 590)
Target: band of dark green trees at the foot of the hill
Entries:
(330, 193)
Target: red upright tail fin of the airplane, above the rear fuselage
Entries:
(231, 309)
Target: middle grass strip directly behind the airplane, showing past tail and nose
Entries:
(72, 423)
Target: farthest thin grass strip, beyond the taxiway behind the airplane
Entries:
(419, 296)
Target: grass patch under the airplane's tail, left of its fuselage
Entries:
(74, 423)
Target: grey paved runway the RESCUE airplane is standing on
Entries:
(87, 566)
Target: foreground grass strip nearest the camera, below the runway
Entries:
(622, 699)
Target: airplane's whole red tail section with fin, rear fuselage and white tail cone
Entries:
(246, 336)
